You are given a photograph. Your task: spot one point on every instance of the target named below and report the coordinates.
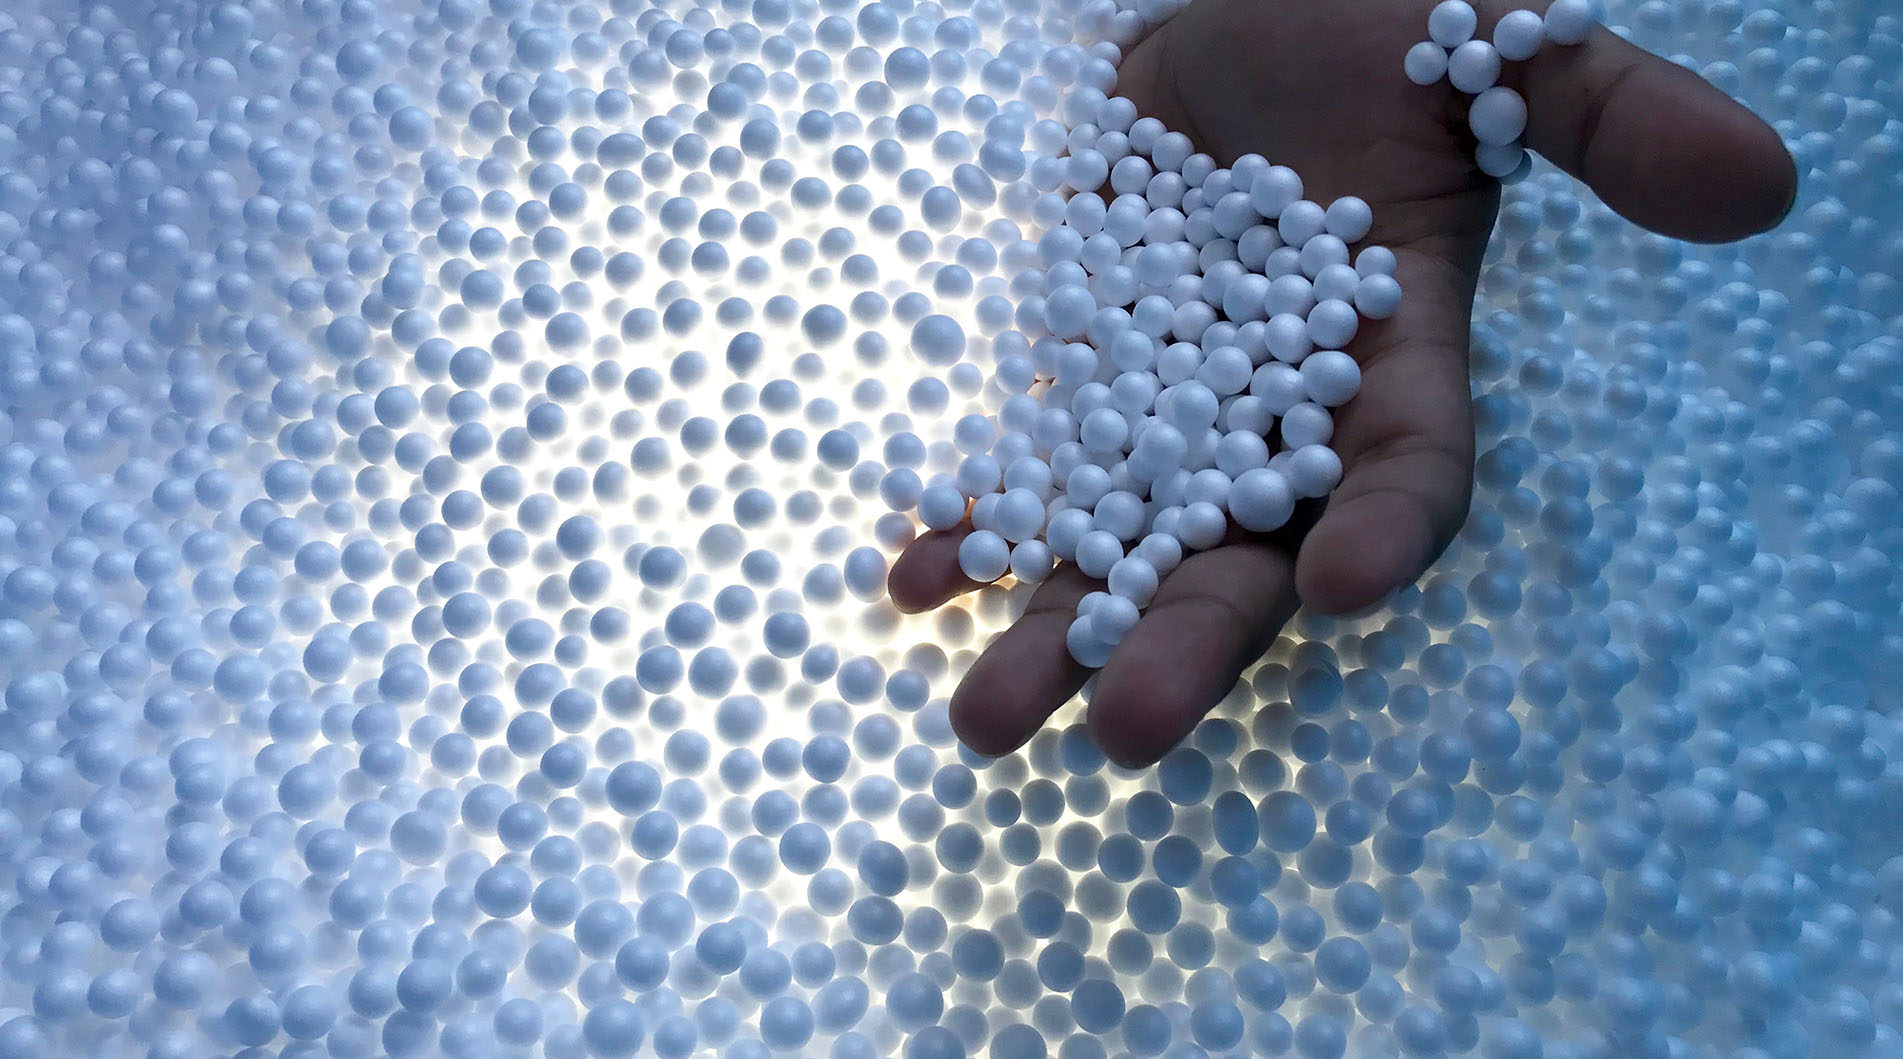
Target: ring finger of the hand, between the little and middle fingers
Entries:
(1027, 673)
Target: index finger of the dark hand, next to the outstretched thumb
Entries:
(1405, 445)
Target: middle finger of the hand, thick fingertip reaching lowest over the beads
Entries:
(1213, 618)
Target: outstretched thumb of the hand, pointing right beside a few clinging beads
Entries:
(1657, 142)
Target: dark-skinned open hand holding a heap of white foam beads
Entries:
(1320, 87)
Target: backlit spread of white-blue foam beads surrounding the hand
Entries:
(446, 475)
